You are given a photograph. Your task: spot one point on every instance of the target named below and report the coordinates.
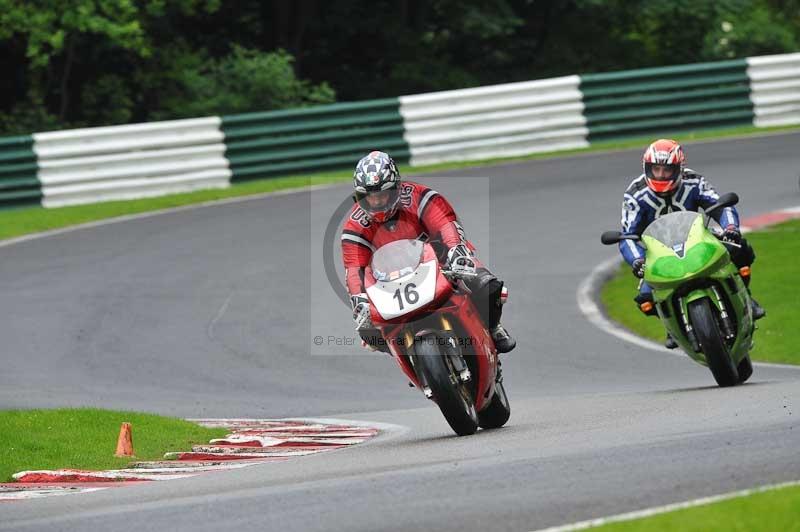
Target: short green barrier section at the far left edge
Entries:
(19, 185)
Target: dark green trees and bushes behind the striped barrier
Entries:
(72, 63)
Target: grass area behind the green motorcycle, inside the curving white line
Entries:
(774, 285)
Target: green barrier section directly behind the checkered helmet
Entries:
(312, 139)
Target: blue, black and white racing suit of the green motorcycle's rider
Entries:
(640, 206)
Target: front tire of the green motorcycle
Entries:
(708, 334)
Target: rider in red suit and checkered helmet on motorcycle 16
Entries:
(387, 209)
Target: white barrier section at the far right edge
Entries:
(775, 89)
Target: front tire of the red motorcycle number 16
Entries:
(451, 395)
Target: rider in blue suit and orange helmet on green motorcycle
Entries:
(667, 186)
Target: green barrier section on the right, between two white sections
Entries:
(651, 100)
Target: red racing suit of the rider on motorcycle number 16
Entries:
(422, 214)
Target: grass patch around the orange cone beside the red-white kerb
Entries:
(86, 438)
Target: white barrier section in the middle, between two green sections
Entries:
(497, 121)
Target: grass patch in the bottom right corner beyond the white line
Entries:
(773, 510)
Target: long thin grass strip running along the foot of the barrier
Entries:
(17, 222)
